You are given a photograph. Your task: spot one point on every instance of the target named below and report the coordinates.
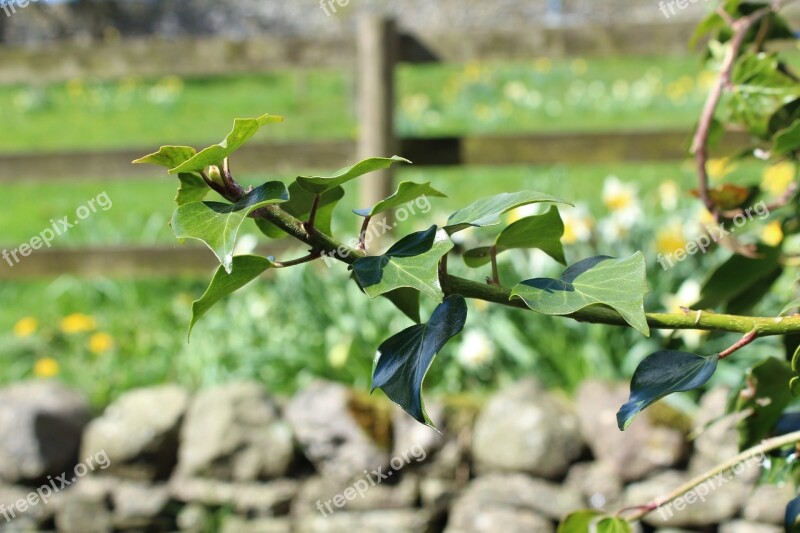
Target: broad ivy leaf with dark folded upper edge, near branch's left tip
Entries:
(217, 224)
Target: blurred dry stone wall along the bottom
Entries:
(235, 459)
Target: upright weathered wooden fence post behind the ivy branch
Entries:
(378, 45)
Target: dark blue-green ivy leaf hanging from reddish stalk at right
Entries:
(663, 373)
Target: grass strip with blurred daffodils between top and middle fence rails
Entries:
(539, 95)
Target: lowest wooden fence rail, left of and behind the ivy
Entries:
(120, 262)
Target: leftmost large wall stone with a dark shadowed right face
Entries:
(41, 423)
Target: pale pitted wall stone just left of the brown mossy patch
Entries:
(330, 435)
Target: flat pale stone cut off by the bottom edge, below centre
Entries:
(410, 521)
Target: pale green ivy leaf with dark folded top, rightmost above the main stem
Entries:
(617, 283)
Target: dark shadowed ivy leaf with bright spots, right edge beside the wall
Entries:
(770, 395)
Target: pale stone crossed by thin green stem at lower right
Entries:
(711, 503)
